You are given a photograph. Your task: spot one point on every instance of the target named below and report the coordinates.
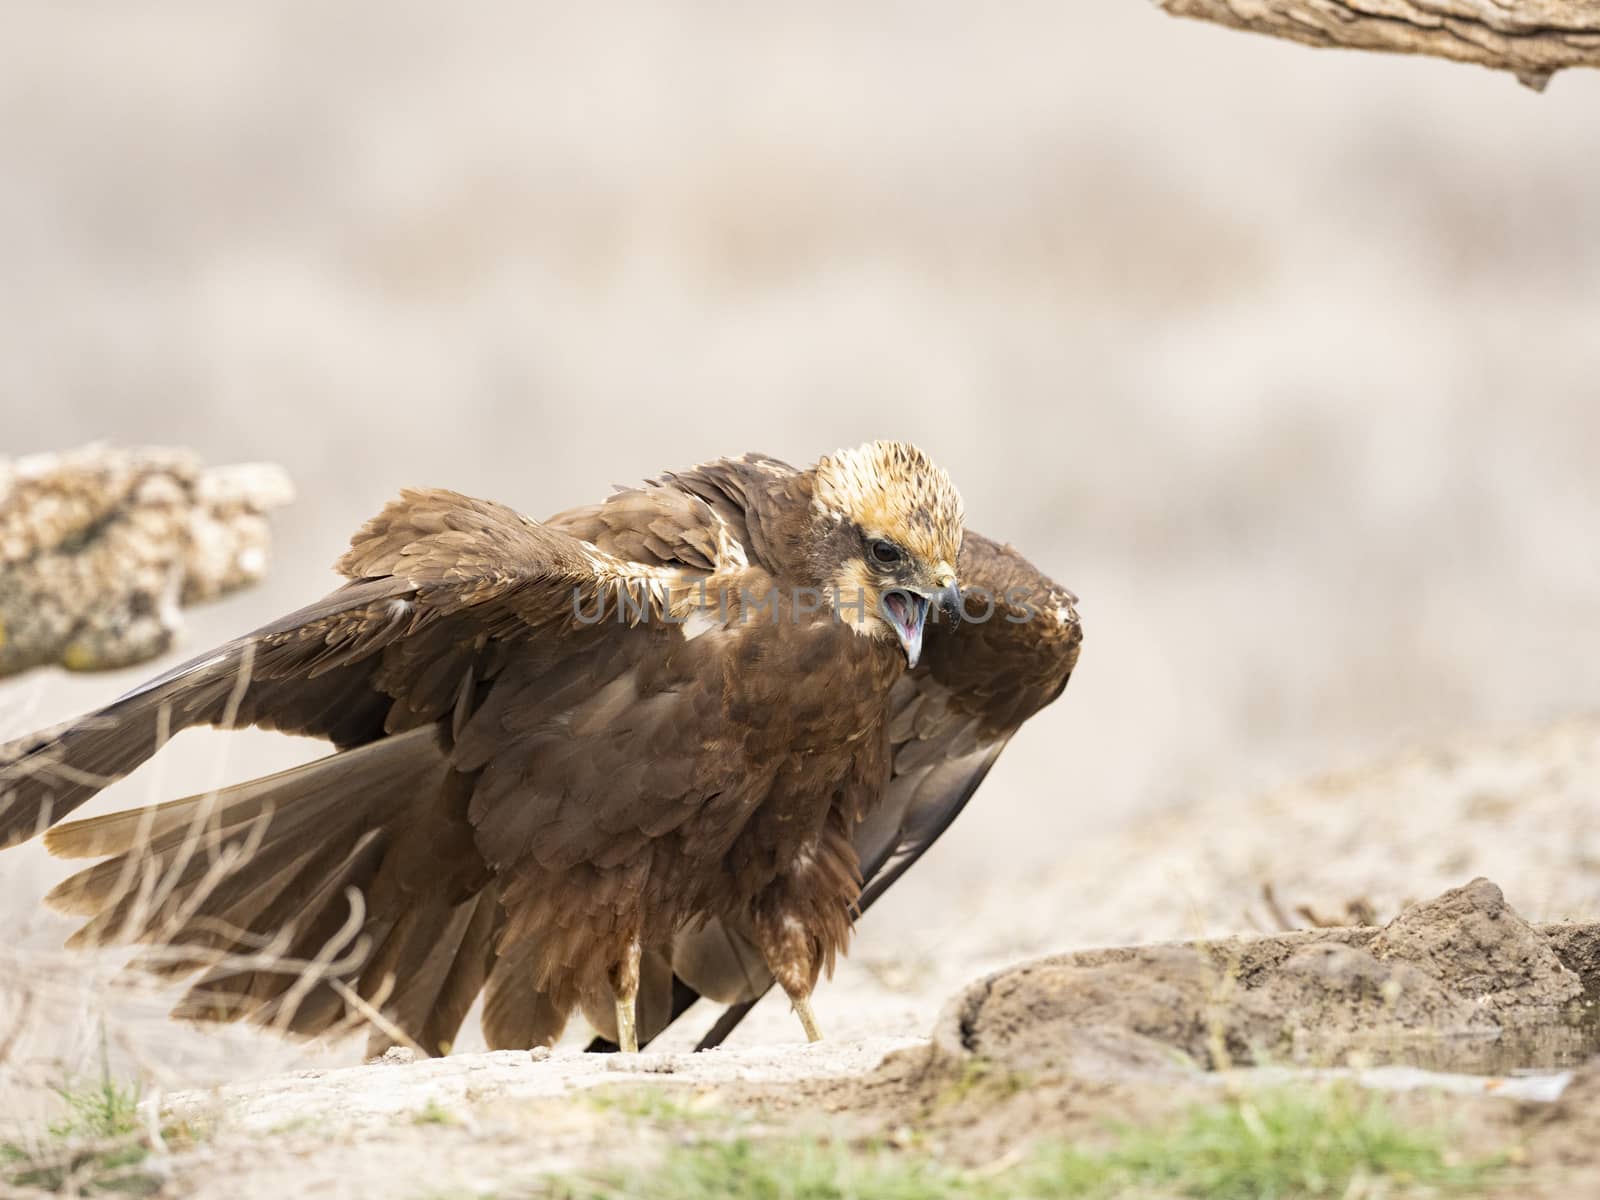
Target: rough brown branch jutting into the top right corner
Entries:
(1532, 39)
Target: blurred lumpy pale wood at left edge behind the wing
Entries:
(100, 548)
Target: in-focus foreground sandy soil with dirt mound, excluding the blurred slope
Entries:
(1103, 1036)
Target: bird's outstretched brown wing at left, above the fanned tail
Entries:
(439, 590)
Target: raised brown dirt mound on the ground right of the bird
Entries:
(1460, 967)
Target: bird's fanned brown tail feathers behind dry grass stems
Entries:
(265, 870)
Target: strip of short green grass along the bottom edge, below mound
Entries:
(1266, 1146)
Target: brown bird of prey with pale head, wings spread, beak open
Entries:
(660, 746)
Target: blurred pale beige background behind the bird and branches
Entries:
(1287, 362)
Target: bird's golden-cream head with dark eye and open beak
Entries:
(889, 532)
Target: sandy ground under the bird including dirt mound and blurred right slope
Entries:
(1460, 983)
